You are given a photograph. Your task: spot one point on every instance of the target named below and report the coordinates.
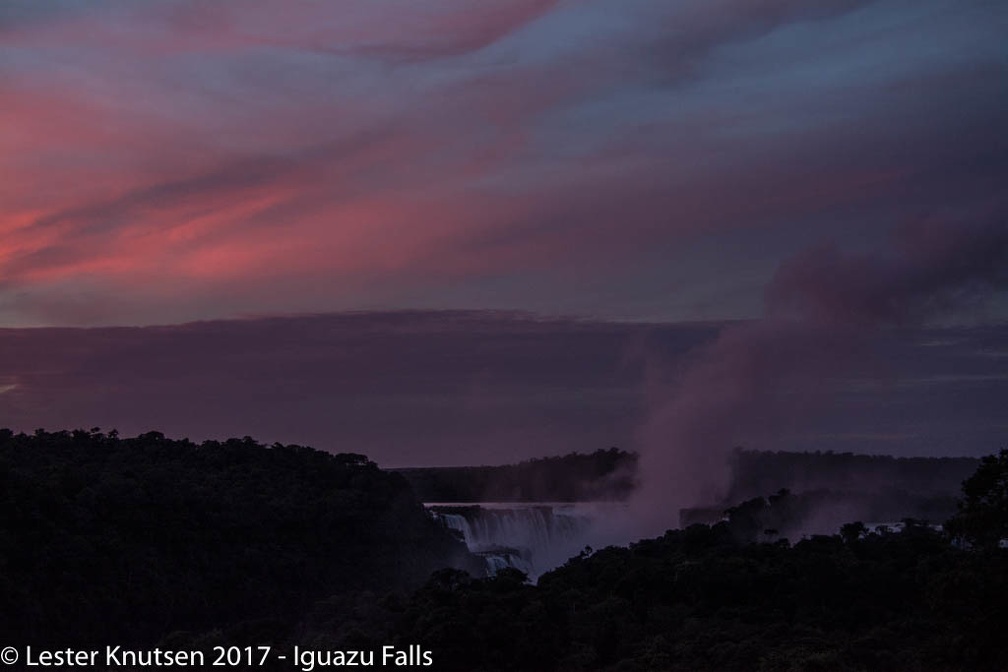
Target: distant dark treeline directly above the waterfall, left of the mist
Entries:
(601, 476)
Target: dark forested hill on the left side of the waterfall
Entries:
(127, 541)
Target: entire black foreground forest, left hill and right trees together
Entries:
(153, 542)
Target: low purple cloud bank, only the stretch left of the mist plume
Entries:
(406, 388)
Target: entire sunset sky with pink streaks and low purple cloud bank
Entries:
(448, 232)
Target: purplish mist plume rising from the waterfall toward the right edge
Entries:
(823, 311)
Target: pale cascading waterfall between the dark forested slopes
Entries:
(533, 539)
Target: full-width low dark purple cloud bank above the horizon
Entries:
(456, 388)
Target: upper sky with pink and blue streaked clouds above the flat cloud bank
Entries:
(176, 161)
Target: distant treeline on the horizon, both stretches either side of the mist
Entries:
(873, 485)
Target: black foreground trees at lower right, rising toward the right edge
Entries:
(708, 599)
